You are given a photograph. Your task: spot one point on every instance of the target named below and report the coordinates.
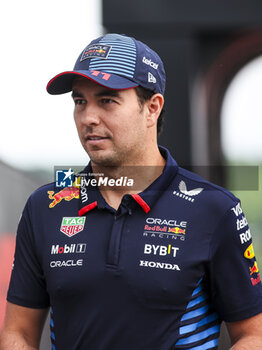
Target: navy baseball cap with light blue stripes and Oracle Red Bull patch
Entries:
(116, 62)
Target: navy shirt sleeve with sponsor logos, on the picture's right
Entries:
(233, 271)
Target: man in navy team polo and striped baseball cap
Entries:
(145, 255)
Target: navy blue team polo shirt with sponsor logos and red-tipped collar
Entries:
(159, 273)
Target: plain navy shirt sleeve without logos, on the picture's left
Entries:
(27, 285)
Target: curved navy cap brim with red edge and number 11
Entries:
(63, 82)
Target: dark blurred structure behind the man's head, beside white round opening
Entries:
(203, 45)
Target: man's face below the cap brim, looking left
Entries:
(111, 123)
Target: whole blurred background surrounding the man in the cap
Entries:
(212, 52)
